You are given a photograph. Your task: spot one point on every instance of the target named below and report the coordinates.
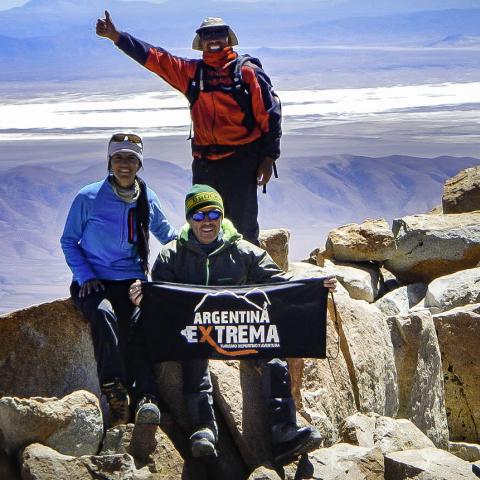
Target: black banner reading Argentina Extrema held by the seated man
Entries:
(256, 321)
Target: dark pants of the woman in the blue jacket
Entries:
(118, 343)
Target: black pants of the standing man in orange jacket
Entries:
(235, 178)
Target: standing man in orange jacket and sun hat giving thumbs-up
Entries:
(235, 113)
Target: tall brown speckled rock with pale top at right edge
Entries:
(458, 333)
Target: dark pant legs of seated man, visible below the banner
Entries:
(197, 388)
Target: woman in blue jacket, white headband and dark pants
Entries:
(106, 245)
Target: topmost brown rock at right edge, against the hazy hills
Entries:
(462, 192)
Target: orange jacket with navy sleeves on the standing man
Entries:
(216, 116)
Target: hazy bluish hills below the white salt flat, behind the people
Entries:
(312, 196)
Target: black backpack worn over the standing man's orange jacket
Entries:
(239, 89)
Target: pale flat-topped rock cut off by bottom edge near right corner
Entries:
(426, 464)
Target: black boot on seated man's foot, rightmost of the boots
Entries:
(291, 441)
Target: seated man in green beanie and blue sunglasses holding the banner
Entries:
(209, 251)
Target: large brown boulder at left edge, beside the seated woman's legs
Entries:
(36, 341)
